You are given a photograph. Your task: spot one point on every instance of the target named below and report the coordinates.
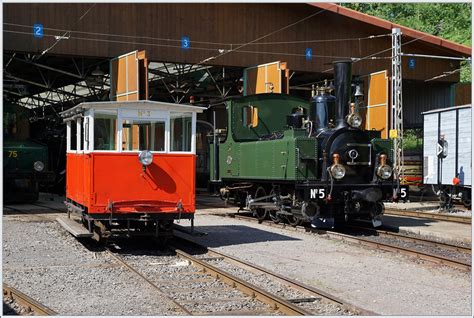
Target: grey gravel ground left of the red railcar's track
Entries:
(46, 263)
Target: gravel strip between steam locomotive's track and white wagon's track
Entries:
(446, 231)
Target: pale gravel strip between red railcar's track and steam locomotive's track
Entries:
(382, 282)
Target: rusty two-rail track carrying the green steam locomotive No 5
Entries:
(380, 245)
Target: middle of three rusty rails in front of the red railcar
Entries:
(275, 302)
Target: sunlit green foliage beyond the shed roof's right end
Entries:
(451, 21)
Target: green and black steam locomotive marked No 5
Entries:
(282, 157)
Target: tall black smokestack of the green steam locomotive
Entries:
(342, 82)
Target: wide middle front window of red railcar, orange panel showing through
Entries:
(143, 135)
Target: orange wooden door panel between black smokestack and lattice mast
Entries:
(377, 110)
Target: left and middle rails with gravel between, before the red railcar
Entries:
(233, 292)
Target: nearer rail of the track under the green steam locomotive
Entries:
(366, 242)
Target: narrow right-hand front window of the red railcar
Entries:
(181, 131)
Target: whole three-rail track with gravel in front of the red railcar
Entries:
(212, 283)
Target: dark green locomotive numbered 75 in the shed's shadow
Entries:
(25, 162)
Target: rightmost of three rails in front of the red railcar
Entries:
(309, 290)
